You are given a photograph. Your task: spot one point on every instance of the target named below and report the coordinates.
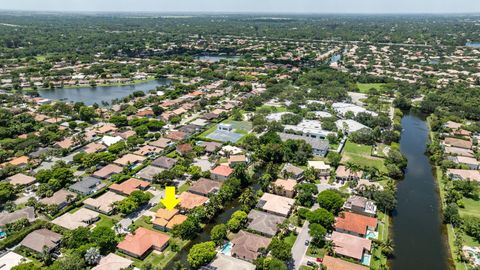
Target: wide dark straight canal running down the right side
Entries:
(418, 232)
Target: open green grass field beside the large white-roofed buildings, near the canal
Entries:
(361, 155)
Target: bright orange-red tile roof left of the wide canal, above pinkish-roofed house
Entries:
(354, 222)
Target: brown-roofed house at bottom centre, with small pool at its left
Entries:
(246, 246)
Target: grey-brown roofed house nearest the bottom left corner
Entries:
(42, 240)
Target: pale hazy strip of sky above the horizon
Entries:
(245, 6)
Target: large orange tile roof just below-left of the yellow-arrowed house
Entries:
(142, 241)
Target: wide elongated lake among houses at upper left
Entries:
(91, 95)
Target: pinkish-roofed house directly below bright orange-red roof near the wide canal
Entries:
(350, 246)
